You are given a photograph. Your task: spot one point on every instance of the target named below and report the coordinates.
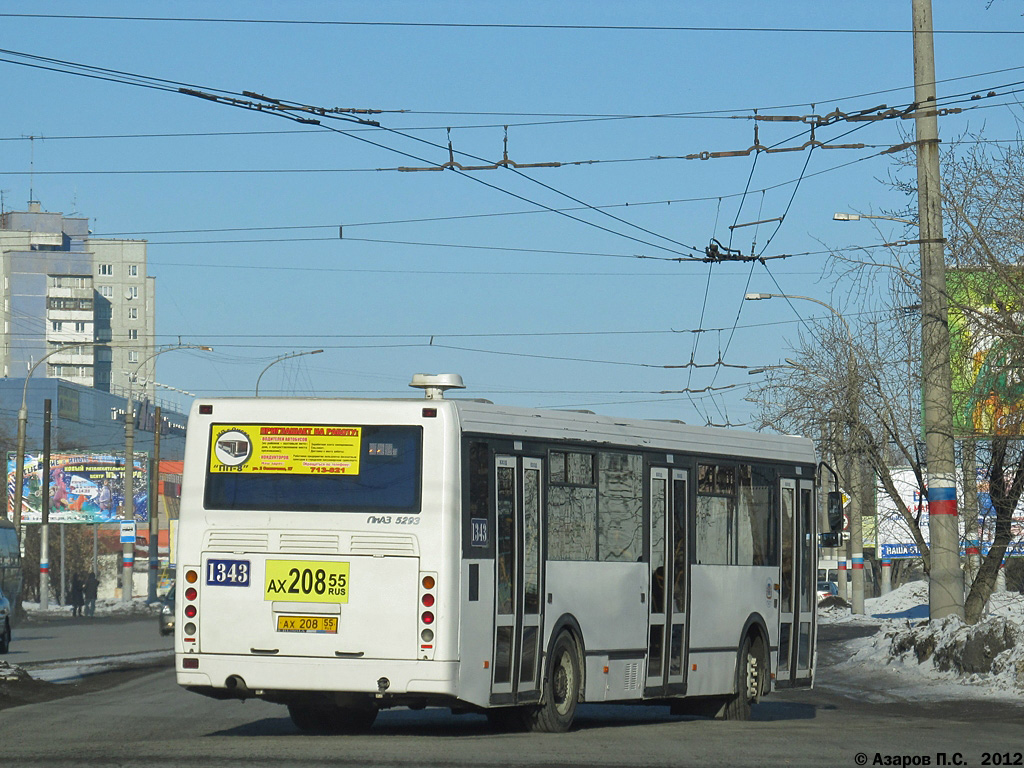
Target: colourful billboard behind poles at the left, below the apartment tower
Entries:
(84, 488)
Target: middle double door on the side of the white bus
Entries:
(669, 567)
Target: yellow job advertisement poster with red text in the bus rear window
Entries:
(291, 449)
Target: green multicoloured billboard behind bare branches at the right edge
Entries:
(988, 378)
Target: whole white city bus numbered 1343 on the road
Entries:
(361, 554)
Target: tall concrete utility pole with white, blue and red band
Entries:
(947, 578)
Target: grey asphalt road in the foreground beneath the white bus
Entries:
(150, 721)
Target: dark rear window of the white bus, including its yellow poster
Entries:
(274, 467)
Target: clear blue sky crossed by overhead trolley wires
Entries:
(474, 274)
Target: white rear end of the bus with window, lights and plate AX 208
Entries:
(311, 556)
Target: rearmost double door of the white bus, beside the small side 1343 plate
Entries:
(519, 616)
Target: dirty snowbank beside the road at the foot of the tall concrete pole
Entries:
(944, 659)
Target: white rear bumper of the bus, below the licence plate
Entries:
(268, 676)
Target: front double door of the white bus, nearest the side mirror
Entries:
(796, 643)
